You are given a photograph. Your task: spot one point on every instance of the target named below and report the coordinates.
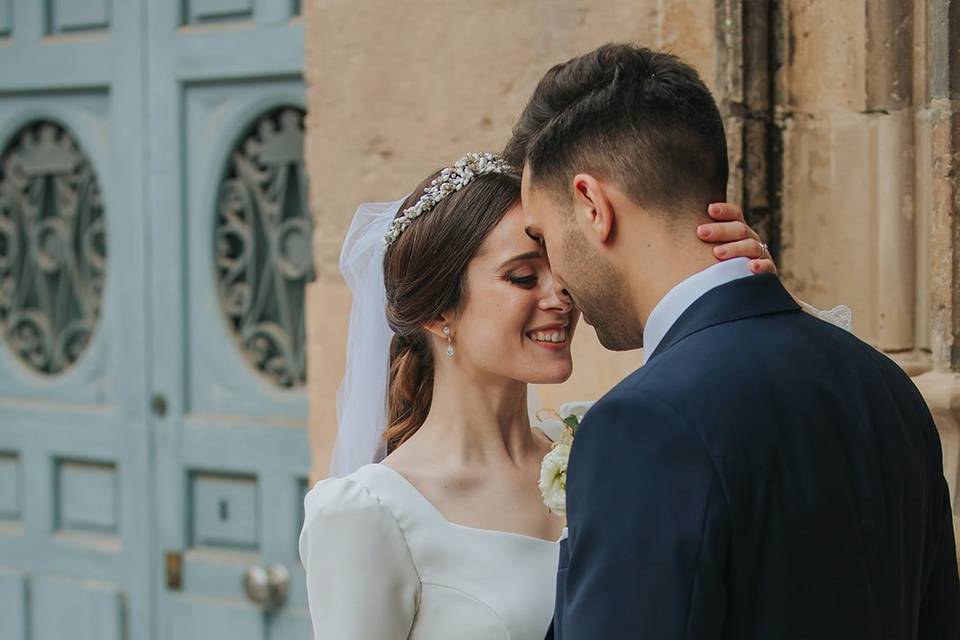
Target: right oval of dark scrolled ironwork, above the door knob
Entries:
(262, 244)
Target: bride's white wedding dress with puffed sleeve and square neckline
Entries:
(383, 564)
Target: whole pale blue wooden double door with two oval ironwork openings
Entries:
(154, 245)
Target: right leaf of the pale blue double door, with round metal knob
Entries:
(230, 255)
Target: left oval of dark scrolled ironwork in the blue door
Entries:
(53, 248)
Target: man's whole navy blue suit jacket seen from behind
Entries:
(764, 475)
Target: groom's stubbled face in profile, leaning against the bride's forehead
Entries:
(580, 272)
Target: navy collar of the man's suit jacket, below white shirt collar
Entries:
(744, 298)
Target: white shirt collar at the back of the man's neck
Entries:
(684, 294)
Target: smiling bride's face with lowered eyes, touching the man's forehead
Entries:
(512, 323)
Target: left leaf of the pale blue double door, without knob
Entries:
(75, 459)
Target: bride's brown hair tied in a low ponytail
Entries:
(424, 272)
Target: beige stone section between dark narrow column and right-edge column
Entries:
(848, 207)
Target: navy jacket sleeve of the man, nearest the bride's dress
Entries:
(649, 527)
